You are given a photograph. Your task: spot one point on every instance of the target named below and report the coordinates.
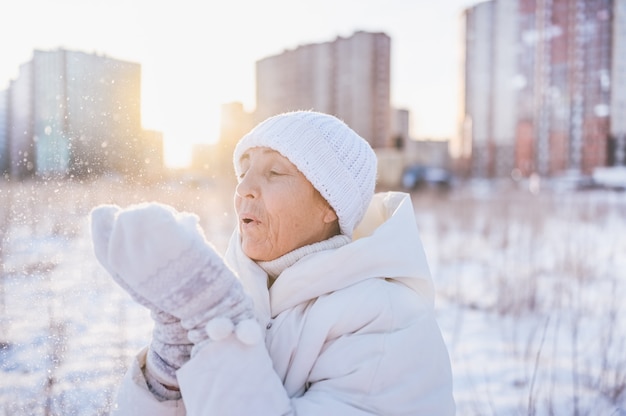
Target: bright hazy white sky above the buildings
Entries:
(196, 55)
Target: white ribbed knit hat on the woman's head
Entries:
(339, 163)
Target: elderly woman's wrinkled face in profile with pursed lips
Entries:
(278, 209)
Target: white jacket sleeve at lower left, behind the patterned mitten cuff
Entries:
(134, 398)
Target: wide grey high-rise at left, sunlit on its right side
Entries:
(75, 113)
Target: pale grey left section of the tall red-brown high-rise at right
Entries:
(490, 89)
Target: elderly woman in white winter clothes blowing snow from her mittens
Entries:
(323, 304)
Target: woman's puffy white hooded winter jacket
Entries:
(350, 331)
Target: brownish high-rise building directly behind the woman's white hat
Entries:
(348, 77)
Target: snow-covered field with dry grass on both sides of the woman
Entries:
(530, 295)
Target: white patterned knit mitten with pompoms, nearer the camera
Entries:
(160, 256)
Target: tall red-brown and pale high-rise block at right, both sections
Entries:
(539, 80)
